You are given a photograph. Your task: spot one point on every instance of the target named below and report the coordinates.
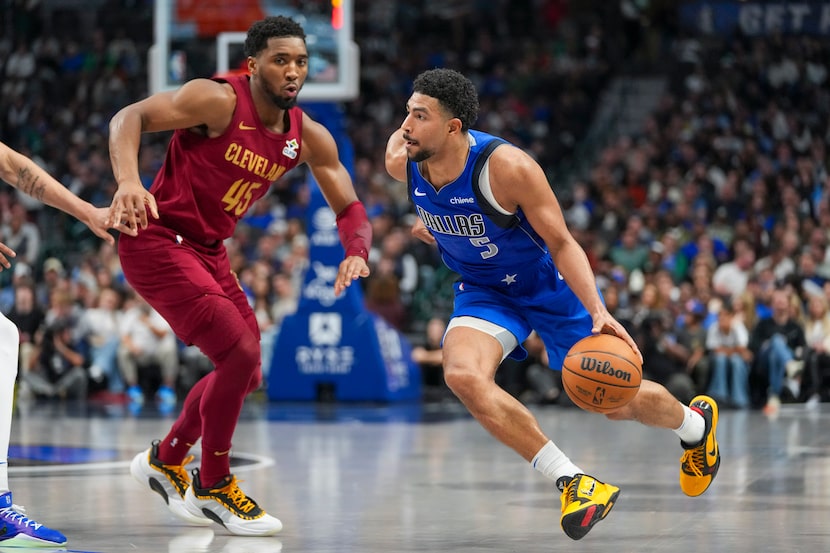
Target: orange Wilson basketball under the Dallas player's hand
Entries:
(601, 373)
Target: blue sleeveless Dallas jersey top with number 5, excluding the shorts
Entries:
(476, 238)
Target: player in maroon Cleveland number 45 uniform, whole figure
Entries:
(232, 138)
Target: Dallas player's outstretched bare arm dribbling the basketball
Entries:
(518, 181)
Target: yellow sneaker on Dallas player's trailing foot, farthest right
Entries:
(700, 462)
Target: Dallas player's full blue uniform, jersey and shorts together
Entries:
(507, 274)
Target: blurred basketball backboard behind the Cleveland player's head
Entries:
(202, 38)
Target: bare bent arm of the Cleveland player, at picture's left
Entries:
(198, 103)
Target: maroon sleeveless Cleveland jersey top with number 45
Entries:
(207, 184)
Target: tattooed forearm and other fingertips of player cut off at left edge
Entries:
(25, 175)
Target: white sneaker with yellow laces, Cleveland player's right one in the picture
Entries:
(227, 505)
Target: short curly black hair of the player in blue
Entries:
(455, 92)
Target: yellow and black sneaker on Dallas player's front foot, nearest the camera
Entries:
(585, 501)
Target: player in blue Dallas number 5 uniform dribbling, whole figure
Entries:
(496, 221)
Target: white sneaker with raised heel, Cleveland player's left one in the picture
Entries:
(169, 481)
